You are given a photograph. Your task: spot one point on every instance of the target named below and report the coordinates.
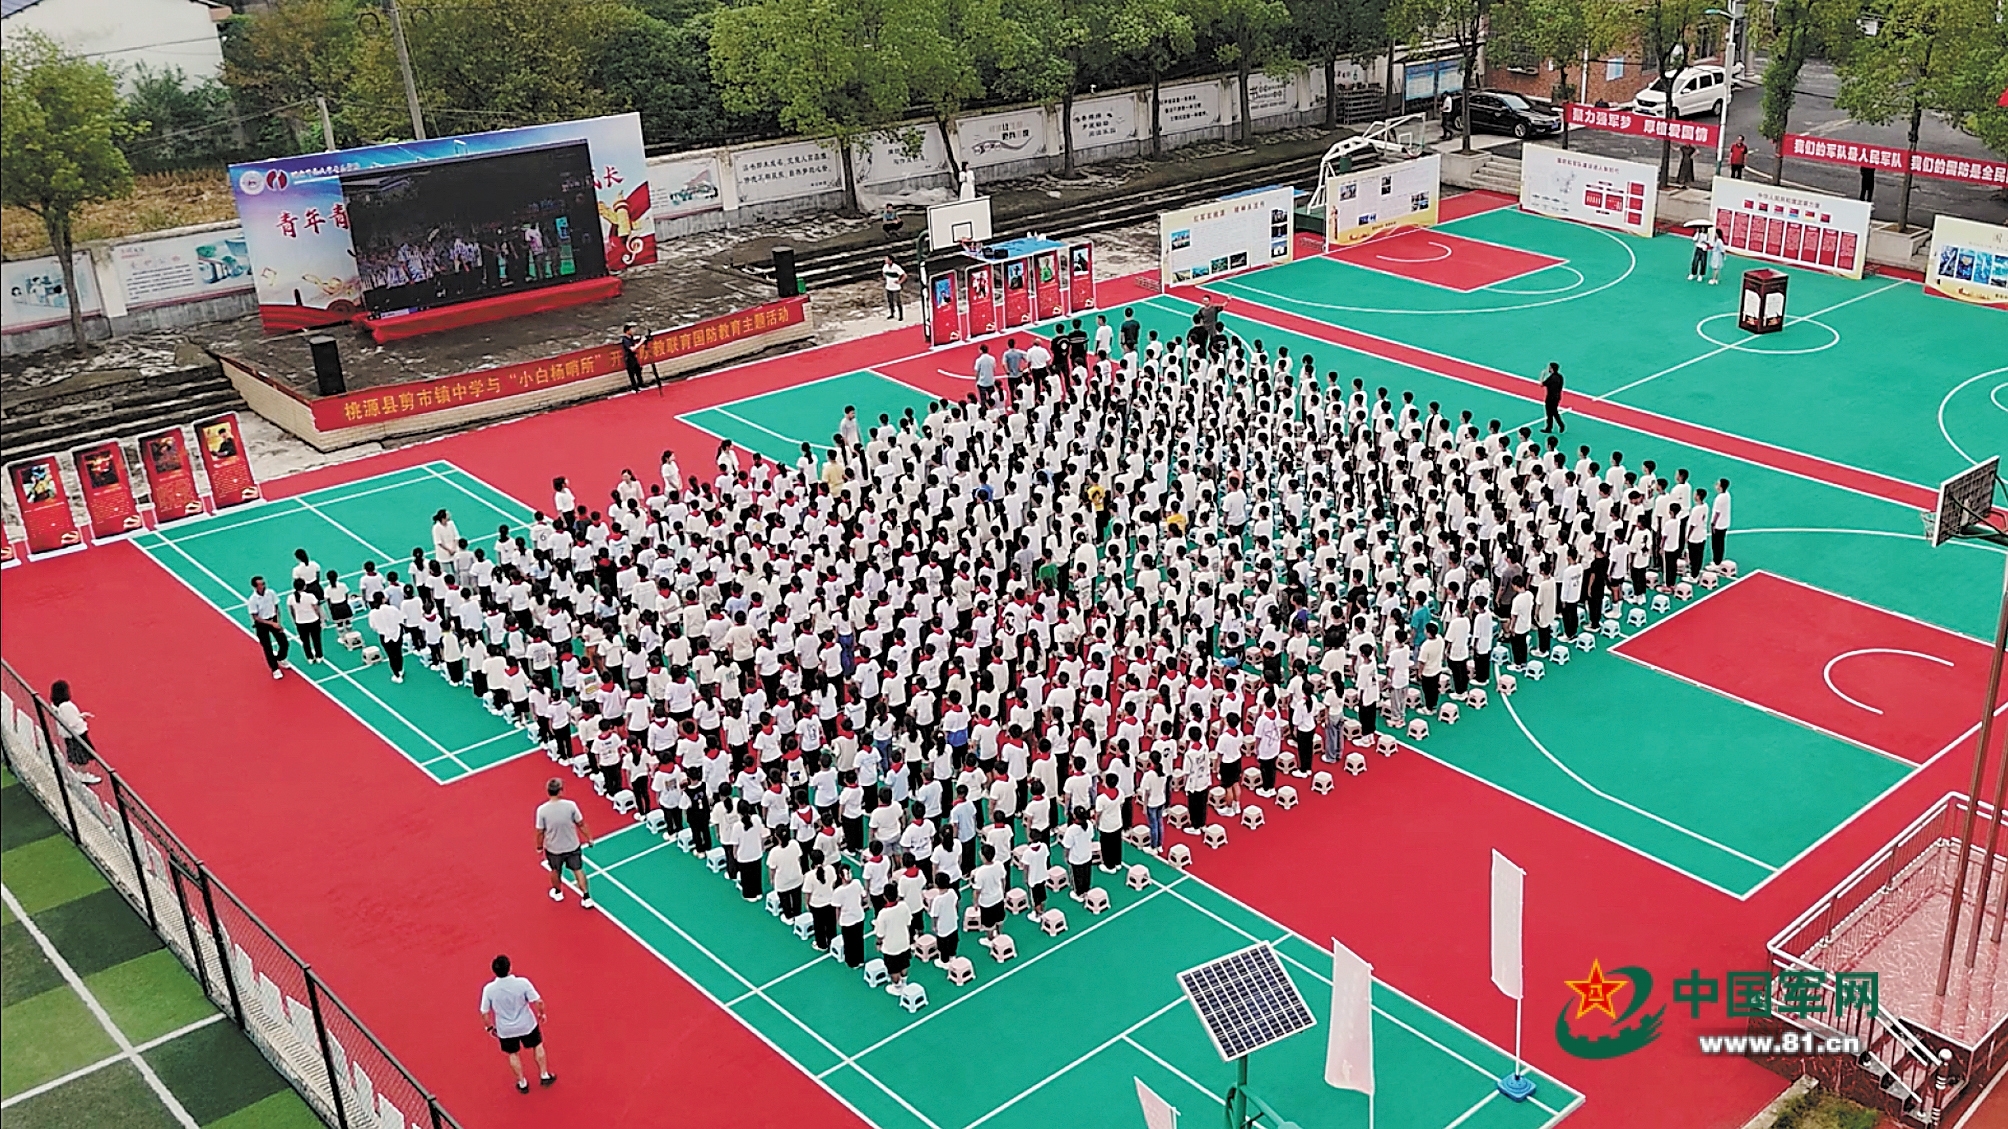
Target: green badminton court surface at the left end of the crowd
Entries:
(433, 722)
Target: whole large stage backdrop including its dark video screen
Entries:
(461, 216)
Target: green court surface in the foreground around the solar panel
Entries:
(1055, 1036)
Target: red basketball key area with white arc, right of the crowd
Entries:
(1854, 672)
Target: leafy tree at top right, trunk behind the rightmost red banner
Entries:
(1915, 63)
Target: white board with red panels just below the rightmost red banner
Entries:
(1794, 228)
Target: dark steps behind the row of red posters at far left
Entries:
(113, 405)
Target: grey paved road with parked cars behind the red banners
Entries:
(1814, 114)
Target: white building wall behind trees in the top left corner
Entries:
(125, 33)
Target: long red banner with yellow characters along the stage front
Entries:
(425, 397)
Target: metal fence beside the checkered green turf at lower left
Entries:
(274, 997)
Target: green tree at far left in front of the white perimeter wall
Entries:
(59, 146)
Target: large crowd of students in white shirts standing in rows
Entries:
(999, 636)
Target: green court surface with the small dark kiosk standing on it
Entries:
(1874, 375)
